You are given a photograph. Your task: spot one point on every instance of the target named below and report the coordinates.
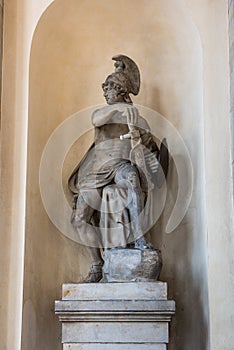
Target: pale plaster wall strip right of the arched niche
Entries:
(217, 136)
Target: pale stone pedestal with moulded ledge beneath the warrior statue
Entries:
(115, 316)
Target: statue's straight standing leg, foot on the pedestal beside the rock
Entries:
(88, 234)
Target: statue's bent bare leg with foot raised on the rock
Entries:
(129, 175)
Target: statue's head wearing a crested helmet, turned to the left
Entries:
(125, 80)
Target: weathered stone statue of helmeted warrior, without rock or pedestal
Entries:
(122, 163)
